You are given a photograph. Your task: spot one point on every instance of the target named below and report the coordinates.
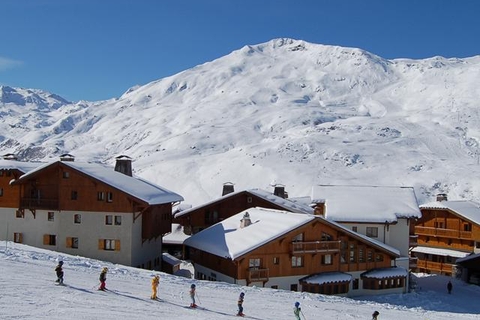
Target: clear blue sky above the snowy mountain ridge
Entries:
(97, 49)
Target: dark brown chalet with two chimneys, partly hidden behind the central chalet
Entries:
(201, 217)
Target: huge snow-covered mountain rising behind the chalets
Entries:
(282, 112)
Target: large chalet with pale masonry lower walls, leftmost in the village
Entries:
(90, 210)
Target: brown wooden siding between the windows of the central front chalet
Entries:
(276, 256)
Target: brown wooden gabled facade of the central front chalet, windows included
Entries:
(315, 247)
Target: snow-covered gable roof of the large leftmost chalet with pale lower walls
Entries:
(139, 188)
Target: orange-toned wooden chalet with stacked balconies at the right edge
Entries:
(447, 231)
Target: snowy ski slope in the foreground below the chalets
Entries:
(28, 291)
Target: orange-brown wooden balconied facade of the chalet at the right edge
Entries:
(443, 228)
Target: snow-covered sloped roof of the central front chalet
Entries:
(226, 238)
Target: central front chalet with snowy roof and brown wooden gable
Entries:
(285, 250)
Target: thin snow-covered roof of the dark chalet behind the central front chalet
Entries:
(286, 204)
